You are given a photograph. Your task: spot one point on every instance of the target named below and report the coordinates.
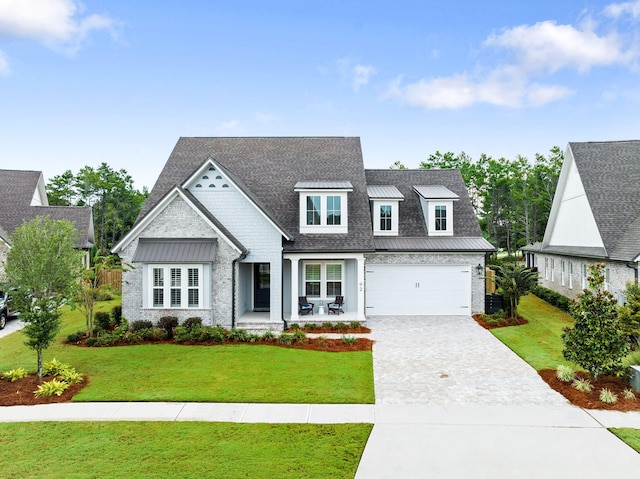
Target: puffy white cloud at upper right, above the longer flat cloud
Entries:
(548, 47)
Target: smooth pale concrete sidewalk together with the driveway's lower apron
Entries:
(416, 441)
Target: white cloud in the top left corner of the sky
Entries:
(56, 23)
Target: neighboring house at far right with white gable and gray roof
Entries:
(595, 217)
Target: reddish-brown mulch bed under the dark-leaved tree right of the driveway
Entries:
(592, 400)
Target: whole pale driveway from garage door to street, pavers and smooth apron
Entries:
(461, 404)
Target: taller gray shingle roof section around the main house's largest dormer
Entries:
(269, 168)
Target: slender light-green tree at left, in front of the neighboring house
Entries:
(43, 266)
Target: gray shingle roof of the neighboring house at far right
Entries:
(610, 173)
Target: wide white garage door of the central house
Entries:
(418, 289)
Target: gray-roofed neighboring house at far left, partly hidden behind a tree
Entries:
(23, 197)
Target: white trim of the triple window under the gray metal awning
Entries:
(184, 286)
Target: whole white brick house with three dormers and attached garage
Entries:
(236, 229)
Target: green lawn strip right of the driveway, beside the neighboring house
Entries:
(539, 342)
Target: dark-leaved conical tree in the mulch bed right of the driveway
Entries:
(595, 342)
